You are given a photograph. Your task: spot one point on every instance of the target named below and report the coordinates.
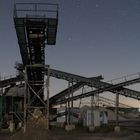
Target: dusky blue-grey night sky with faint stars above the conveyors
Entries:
(95, 37)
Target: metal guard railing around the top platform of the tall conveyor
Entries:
(36, 10)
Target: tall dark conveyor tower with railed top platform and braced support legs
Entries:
(36, 27)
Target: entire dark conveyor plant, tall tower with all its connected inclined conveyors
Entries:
(36, 27)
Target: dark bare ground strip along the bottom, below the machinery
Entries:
(60, 134)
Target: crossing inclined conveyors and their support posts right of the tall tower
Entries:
(65, 98)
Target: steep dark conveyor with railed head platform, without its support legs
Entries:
(36, 27)
